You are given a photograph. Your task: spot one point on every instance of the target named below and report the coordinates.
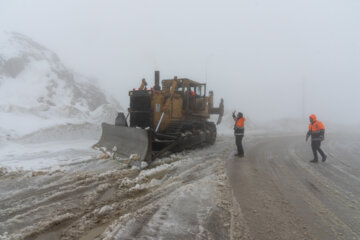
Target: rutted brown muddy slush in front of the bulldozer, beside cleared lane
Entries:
(185, 196)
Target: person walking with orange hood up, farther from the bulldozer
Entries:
(317, 133)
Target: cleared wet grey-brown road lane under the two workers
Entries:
(283, 196)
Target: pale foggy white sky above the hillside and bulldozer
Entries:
(258, 55)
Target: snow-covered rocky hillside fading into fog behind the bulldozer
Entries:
(37, 91)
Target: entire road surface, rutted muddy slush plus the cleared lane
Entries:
(272, 193)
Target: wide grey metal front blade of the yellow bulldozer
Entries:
(126, 141)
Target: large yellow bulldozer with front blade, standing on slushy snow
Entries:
(163, 119)
